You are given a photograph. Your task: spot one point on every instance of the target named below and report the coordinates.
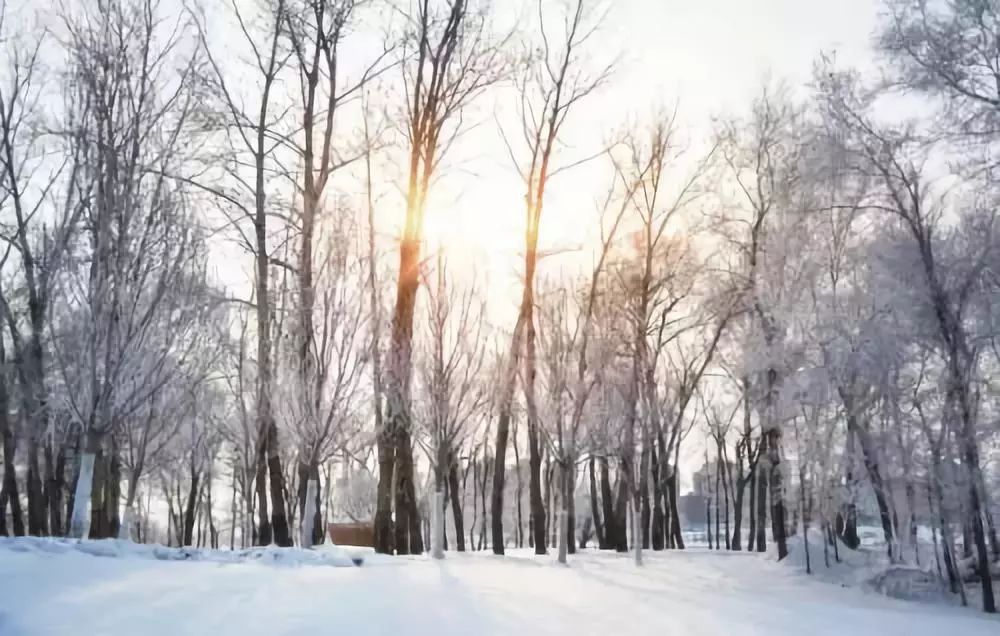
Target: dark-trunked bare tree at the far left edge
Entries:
(31, 192)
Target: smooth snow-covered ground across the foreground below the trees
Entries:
(50, 588)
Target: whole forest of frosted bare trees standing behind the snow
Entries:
(224, 324)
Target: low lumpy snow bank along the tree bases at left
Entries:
(117, 548)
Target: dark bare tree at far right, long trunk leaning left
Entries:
(894, 159)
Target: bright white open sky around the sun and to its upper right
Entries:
(709, 57)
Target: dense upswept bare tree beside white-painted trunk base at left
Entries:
(141, 244)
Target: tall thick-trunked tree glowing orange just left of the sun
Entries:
(448, 61)
